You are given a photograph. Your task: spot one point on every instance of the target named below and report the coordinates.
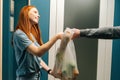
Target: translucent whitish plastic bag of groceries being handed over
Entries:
(65, 66)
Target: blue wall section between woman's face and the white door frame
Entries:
(43, 7)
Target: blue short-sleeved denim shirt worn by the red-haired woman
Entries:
(27, 62)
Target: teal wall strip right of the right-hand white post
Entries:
(115, 71)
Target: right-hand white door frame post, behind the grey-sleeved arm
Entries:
(106, 18)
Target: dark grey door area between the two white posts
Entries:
(84, 14)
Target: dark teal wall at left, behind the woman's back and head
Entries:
(9, 63)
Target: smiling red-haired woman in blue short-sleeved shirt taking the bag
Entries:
(28, 45)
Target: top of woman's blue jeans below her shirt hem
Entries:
(35, 76)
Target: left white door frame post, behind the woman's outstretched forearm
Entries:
(56, 25)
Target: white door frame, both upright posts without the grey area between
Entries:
(104, 46)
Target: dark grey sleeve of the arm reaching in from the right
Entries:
(101, 33)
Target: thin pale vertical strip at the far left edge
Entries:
(1, 9)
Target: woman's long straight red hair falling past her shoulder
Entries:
(24, 24)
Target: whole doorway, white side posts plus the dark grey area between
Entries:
(93, 56)
